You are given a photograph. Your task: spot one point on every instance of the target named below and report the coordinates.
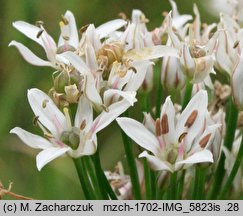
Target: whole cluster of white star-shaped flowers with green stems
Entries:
(185, 143)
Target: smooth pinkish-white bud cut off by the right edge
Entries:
(236, 82)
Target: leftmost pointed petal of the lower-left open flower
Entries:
(30, 139)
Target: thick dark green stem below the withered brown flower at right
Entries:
(232, 117)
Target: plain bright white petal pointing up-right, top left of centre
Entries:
(109, 27)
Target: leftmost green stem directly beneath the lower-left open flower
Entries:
(83, 178)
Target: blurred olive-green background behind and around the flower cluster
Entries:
(58, 180)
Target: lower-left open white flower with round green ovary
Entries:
(60, 136)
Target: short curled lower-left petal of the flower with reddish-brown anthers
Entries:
(155, 163)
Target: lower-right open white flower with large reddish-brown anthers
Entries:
(174, 142)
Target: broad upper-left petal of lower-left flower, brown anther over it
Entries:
(48, 113)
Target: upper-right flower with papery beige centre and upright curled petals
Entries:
(196, 57)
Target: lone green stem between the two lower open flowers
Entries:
(132, 166)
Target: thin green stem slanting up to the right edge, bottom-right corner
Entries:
(233, 171)
